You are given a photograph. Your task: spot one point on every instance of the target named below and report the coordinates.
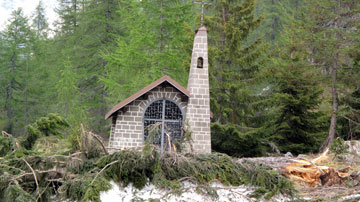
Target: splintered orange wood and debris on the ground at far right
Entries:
(310, 187)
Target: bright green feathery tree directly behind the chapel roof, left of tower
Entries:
(152, 45)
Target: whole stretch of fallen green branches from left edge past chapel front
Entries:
(27, 175)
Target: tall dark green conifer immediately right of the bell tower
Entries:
(235, 61)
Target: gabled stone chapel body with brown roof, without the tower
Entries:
(163, 102)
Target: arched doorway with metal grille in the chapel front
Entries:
(163, 120)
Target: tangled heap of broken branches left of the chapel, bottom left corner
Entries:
(29, 175)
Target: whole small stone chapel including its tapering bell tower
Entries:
(168, 103)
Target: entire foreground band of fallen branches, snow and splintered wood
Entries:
(41, 173)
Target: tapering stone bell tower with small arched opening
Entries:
(198, 109)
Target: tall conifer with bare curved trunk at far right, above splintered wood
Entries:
(331, 23)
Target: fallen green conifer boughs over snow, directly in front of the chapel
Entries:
(167, 169)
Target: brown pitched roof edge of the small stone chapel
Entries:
(145, 90)
